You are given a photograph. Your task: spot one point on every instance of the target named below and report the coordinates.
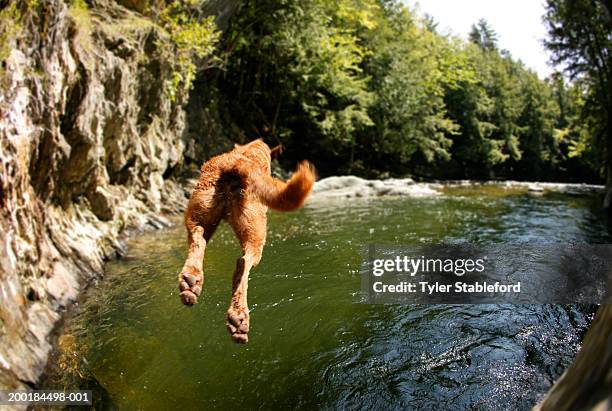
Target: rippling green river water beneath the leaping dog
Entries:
(311, 344)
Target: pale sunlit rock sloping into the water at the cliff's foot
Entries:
(78, 245)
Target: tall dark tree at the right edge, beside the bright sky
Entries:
(580, 37)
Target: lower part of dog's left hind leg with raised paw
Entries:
(191, 277)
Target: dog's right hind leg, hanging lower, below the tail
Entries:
(250, 226)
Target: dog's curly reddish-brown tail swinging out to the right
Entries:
(285, 196)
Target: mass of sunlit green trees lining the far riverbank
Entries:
(370, 82)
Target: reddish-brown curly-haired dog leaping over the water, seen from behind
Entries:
(237, 187)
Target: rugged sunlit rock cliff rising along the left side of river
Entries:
(91, 139)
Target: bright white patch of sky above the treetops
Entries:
(518, 24)
